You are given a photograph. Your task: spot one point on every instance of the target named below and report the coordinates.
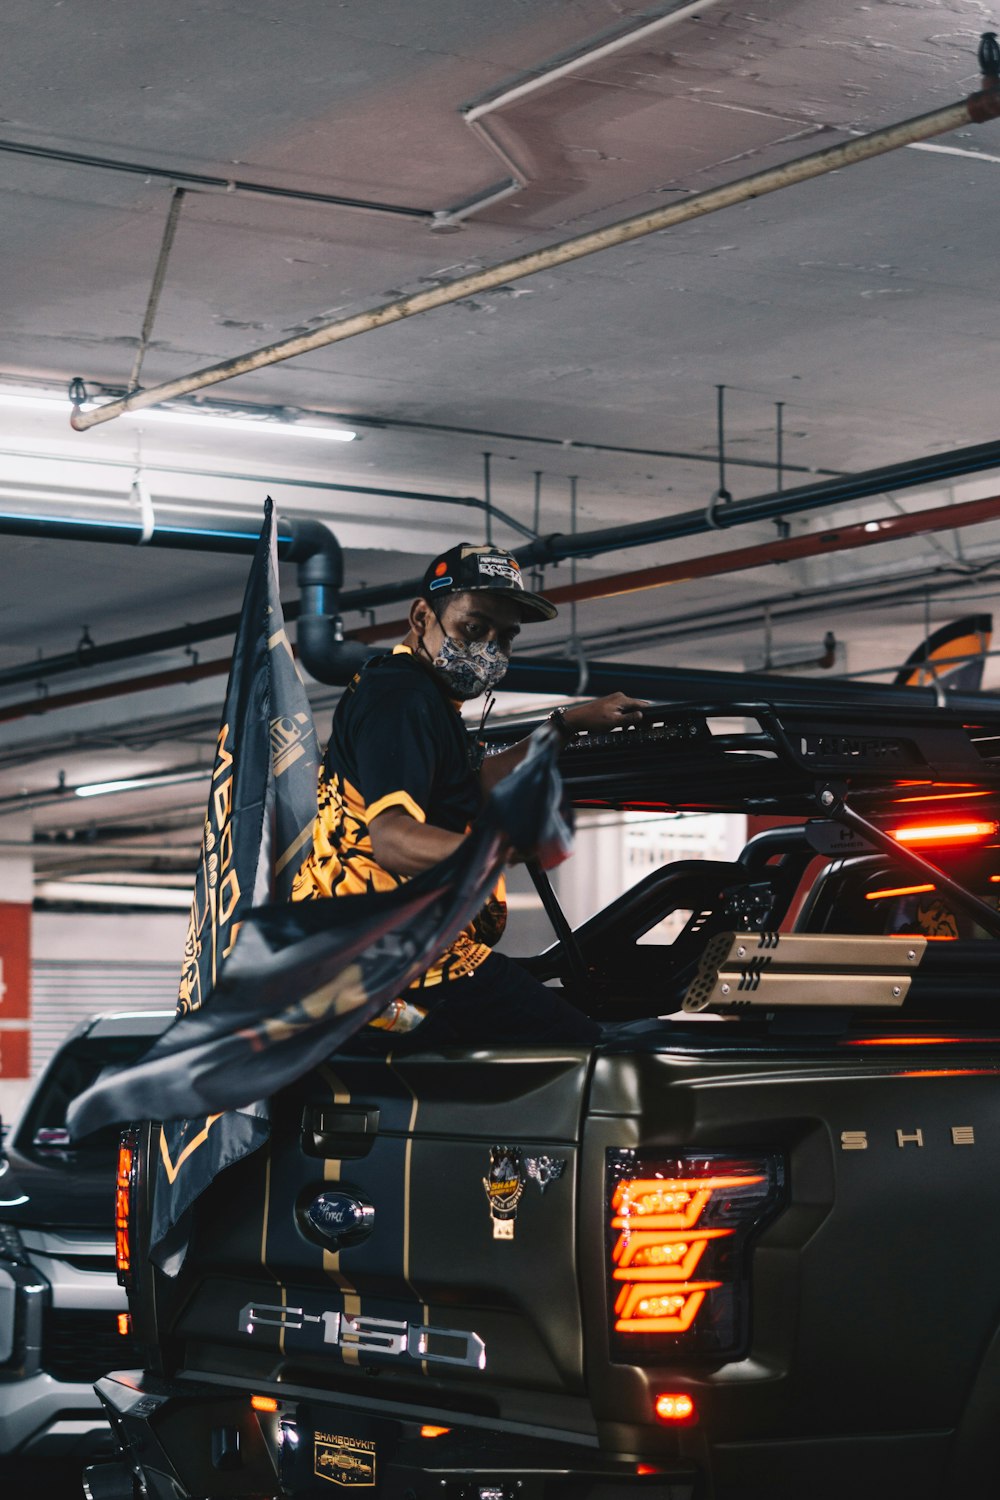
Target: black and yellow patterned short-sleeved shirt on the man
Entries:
(397, 742)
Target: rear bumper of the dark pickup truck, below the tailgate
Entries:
(185, 1439)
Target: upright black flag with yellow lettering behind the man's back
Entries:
(260, 817)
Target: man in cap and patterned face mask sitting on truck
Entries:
(401, 785)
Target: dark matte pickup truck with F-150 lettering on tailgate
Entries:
(744, 1247)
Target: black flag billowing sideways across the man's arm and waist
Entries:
(307, 976)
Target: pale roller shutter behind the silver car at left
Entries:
(67, 992)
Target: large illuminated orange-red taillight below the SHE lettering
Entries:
(678, 1234)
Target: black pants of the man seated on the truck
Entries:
(499, 1004)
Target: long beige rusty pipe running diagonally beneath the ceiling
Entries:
(980, 107)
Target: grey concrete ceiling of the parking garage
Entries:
(863, 302)
